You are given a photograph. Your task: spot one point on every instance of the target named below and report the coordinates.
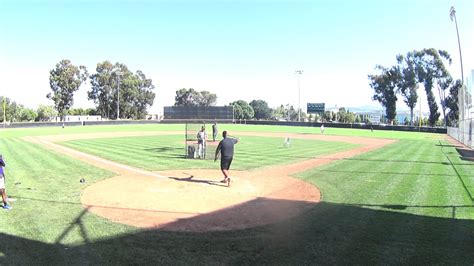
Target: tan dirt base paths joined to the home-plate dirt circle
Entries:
(196, 200)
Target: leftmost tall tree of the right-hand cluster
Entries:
(384, 85)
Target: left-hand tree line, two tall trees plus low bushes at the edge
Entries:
(114, 90)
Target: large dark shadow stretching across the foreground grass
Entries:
(326, 233)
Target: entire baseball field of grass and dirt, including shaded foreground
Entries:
(126, 195)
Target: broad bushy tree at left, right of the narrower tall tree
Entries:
(112, 83)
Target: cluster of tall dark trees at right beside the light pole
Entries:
(425, 68)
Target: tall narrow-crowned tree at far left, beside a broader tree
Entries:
(64, 80)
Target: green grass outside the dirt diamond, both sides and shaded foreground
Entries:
(410, 202)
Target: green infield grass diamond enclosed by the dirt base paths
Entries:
(167, 152)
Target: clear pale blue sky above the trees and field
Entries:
(236, 49)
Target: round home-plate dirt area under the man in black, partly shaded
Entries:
(196, 200)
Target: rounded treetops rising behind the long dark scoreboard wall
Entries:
(192, 97)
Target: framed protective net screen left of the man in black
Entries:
(195, 149)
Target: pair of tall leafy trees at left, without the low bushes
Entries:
(116, 91)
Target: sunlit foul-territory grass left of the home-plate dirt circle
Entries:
(47, 189)
